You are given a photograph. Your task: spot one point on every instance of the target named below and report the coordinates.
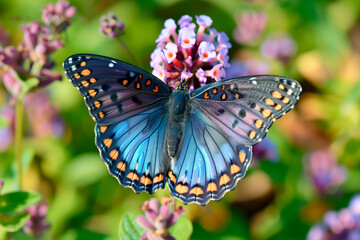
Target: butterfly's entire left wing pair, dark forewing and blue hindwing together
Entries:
(129, 107)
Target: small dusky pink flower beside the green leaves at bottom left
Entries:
(37, 223)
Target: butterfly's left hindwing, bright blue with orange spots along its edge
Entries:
(132, 149)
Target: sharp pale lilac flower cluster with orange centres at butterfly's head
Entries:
(197, 56)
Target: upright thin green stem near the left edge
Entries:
(18, 138)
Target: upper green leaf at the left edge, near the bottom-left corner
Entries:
(18, 201)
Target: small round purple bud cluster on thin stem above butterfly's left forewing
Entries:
(111, 26)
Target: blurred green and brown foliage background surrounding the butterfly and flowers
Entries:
(278, 199)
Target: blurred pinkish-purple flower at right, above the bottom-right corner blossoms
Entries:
(324, 170)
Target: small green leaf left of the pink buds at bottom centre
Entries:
(129, 228)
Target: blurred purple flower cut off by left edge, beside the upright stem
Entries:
(7, 114)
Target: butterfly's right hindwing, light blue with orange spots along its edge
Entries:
(210, 162)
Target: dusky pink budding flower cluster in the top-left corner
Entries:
(32, 57)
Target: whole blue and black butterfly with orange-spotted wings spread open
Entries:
(200, 143)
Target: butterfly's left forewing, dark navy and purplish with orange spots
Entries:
(113, 90)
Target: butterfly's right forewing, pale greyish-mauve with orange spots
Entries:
(245, 107)
